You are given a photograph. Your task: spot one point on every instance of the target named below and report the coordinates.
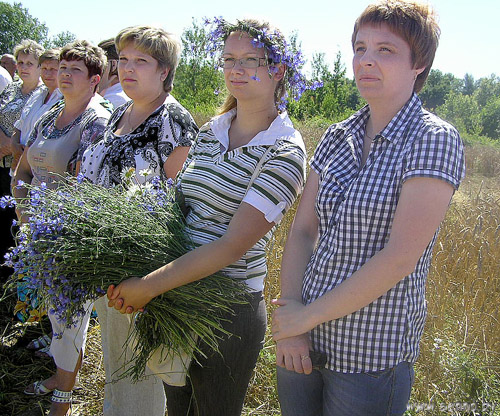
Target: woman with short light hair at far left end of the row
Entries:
(12, 100)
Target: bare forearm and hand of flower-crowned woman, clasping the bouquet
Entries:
(246, 228)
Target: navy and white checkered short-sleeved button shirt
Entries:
(355, 208)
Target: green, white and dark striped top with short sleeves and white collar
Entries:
(214, 182)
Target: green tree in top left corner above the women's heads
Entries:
(17, 24)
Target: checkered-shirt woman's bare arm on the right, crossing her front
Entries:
(421, 208)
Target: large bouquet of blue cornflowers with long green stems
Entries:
(81, 238)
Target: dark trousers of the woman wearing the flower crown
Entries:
(218, 382)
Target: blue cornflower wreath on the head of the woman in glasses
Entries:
(276, 50)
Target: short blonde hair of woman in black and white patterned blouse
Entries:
(161, 45)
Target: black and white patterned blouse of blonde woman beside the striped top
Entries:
(146, 148)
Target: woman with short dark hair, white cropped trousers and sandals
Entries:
(55, 147)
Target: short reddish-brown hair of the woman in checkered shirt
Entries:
(415, 22)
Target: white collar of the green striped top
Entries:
(281, 127)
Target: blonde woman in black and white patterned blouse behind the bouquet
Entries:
(152, 132)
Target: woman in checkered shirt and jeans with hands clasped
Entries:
(356, 261)
